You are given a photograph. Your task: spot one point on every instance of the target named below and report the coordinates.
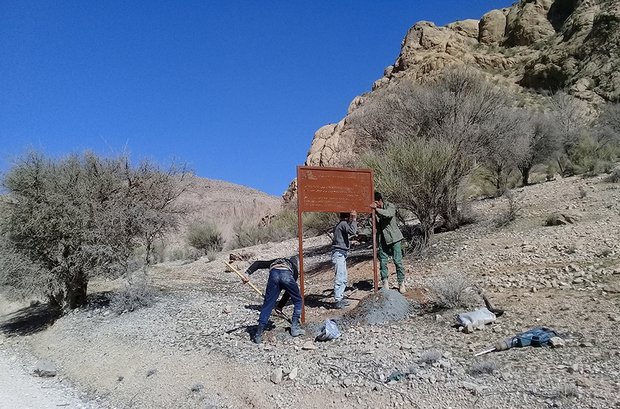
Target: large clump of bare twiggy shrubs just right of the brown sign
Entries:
(428, 138)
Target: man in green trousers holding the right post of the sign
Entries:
(389, 239)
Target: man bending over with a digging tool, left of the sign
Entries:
(283, 273)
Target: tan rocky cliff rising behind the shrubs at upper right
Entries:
(534, 46)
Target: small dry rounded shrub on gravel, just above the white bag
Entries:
(453, 290)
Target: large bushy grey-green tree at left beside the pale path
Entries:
(77, 218)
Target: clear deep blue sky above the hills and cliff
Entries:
(236, 89)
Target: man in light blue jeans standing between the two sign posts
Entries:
(340, 248)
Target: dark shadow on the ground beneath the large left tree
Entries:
(29, 320)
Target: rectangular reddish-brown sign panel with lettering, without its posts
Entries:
(334, 189)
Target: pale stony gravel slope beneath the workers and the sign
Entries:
(192, 348)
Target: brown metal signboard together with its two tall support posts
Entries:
(334, 190)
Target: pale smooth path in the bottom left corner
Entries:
(20, 390)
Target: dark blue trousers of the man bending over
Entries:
(280, 279)
